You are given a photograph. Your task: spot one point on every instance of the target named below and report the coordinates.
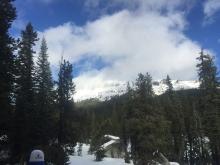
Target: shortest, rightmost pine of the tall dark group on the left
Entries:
(66, 126)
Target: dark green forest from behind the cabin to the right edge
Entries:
(183, 125)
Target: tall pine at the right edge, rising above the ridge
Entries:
(209, 83)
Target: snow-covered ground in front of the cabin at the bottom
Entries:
(87, 159)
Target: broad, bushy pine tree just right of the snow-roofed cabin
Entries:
(147, 124)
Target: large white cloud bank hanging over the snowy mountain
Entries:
(132, 42)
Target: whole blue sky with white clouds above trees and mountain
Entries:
(111, 41)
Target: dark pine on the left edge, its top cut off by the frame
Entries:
(7, 15)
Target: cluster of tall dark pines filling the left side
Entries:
(35, 112)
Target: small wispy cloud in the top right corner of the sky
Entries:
(211, 7)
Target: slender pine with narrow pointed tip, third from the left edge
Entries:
(44, 98)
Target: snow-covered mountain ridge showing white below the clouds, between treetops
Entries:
(112, 88)
